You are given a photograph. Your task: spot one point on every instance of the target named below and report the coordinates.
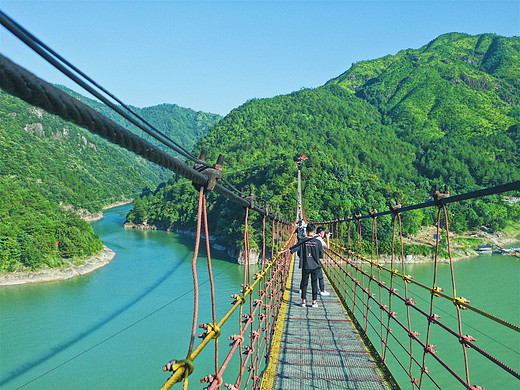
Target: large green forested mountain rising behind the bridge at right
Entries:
(447, 113)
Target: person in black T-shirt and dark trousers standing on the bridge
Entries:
(310, 251)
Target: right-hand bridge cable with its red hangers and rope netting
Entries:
(460, 303)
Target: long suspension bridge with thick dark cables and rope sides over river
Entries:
(353, 335)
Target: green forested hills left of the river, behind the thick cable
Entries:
(49, 166)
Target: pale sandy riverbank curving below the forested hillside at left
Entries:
(54, 274)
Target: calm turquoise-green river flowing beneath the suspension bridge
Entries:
(117, 327)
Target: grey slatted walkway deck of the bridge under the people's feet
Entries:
(319, 348)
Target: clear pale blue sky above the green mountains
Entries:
(215, 55)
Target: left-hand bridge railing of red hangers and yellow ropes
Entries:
(257, 306)
